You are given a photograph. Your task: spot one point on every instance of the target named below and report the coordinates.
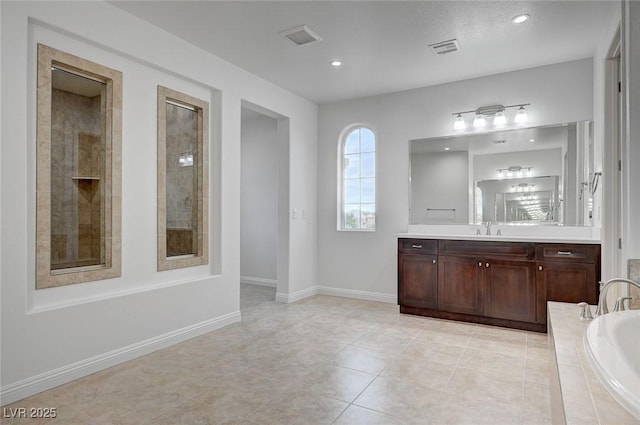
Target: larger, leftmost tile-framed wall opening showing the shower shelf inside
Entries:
(78, 170)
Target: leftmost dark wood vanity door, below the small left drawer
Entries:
(418, 281)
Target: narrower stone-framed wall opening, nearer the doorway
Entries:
(182, 180)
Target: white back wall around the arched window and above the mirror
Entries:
(366, 262)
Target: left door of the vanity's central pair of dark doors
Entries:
(460, 284)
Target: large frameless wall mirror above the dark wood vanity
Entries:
(538, 175)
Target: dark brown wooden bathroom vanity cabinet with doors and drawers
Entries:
(495, 282)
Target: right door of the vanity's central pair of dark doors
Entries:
(510, 290)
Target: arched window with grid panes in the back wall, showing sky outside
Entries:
(357, 203)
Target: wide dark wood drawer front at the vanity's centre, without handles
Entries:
(488, 249)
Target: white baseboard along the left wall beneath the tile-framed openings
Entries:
(53, 378)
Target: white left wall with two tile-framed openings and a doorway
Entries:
(54, 335)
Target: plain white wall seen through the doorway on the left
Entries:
(259, 199)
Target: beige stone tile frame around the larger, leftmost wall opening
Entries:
(110, 264)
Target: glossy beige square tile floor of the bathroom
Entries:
(322, 360)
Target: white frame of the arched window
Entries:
(344, 136)
